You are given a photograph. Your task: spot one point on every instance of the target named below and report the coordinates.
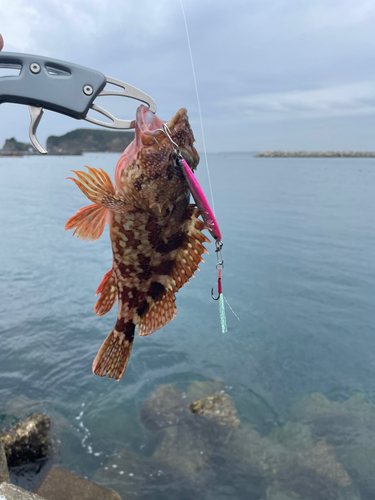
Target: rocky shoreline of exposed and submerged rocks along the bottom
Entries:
(324, 450)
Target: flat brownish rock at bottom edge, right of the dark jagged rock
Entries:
(59, 484)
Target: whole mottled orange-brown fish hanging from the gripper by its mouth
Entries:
(156, 234)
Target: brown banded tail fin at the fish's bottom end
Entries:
(113, 356)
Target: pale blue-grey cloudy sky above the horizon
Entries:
(271, 74)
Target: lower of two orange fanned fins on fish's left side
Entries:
(89, 222)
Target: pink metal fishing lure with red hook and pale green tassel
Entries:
(211, 222)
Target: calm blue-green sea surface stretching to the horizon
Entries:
(299, 248)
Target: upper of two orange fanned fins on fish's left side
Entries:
(97, 186)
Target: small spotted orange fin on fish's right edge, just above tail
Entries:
(160, 312)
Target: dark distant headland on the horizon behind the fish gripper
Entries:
(76, 142)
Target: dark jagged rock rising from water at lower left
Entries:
(27, 441)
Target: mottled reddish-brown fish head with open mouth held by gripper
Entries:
(147, 173)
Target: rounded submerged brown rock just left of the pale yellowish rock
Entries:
(164, 407)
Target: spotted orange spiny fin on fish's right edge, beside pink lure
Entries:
(188, 256)
